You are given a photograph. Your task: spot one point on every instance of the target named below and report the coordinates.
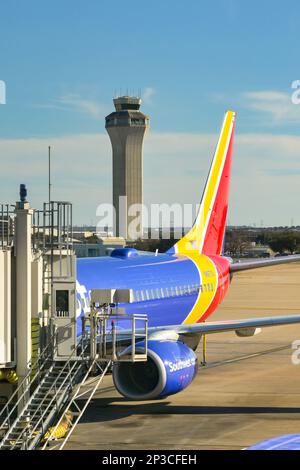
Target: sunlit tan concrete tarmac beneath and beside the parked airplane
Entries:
(248, 391)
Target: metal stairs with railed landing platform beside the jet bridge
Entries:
(54, 388)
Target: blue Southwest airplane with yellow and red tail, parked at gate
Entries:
(178, 290)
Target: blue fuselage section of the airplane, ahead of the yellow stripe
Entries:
(164, 287)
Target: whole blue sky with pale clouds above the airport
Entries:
(62, 62)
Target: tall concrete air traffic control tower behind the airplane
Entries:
(126, 128)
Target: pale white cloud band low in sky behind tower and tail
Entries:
(265, 180)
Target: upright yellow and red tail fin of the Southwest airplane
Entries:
(207, 234)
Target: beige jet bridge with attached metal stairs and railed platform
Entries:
(44, 367)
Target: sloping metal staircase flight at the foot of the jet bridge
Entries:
(28, 418)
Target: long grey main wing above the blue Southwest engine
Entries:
(246, 326)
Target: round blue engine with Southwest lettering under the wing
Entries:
(170, 368)
